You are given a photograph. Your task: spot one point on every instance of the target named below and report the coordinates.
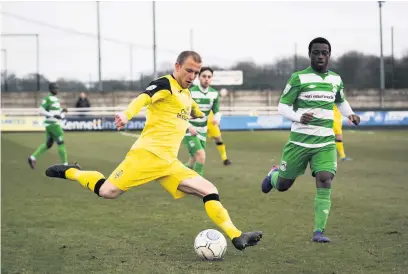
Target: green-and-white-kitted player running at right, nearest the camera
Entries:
(308, 101)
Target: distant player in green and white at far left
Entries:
(51, 109)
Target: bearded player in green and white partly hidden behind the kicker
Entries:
(196, 137)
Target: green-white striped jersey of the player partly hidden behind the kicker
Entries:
(207, 100)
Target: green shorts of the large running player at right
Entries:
(295, 159)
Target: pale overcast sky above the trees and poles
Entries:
(223, 33)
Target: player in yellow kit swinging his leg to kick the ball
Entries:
(154, 155)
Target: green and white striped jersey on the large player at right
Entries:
(310, 91)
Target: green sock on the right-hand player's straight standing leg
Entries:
(322, 208)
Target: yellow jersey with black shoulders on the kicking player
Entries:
(167, 117)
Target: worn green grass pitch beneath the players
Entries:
(55, 226)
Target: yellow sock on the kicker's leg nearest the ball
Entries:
(219, 215)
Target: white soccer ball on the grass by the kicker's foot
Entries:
(210, 245)
